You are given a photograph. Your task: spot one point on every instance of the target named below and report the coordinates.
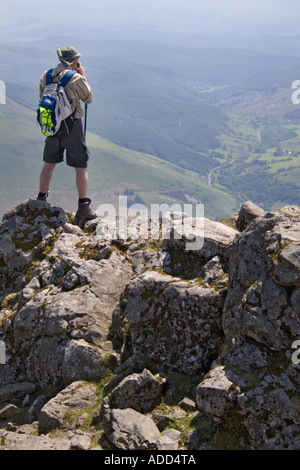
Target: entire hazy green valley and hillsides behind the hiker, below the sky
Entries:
(209, 125)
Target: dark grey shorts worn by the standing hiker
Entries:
(77, 154)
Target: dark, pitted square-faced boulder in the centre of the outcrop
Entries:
(176, 324)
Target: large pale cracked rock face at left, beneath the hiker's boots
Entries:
(57, 316)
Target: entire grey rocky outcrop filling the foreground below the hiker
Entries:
(146, 344)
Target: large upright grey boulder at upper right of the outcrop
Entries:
(261, 266)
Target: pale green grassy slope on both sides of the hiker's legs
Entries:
(112, 170)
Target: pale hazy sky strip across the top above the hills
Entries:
(213, 16)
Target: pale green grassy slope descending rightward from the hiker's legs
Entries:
(152, 179)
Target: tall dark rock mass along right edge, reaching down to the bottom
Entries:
(261, 322)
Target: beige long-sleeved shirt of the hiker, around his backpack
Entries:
(77, 88)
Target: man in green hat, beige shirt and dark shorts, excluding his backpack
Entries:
(70, 138)
